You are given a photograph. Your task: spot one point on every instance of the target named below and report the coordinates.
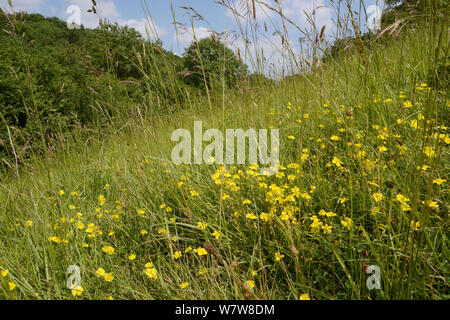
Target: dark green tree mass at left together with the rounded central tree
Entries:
(53, 78)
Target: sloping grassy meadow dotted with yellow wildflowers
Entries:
(364, 182)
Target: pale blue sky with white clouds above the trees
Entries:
(214, 17)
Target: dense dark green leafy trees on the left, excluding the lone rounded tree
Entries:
(50, 76)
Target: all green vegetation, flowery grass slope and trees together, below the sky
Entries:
(362, 181)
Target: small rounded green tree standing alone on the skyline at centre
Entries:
(208, 60)
